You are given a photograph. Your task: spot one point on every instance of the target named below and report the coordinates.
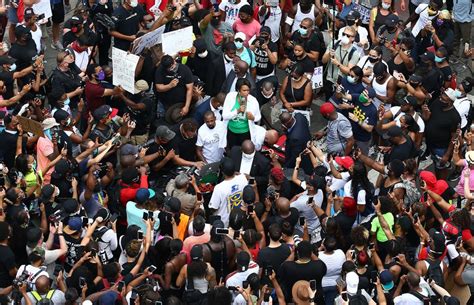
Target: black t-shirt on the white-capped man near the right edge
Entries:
(441, 124)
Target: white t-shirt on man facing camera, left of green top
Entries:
(213, 141)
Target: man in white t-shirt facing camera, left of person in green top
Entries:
(211, 139)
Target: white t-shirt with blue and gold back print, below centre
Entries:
(228, 195)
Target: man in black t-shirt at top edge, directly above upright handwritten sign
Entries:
(127, 18)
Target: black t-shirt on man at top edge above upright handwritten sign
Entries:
(127, 23)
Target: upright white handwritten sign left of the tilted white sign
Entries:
(124, 65)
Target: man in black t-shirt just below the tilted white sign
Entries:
(174, 84)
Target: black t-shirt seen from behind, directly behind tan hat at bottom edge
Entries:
(313, 270)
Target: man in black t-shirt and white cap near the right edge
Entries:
(442, 121)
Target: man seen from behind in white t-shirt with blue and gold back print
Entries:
(227, 194)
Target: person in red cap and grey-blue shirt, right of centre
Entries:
(339, 138)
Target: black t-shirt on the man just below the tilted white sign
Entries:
(178, 93)
